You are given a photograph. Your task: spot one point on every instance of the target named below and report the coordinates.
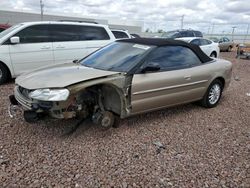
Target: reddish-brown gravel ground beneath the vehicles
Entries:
(184, 146)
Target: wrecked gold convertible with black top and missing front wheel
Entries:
(124, 78)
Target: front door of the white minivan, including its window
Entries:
(33, 51)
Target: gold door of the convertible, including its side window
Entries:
(182, 78)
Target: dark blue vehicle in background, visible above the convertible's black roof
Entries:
(182, 33)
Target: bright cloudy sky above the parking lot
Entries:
(155, 13)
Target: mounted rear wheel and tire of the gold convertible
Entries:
(213, 94)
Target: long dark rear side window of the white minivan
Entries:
(60, 33)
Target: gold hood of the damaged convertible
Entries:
(59, 76)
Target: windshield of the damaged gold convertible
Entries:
(118, 56)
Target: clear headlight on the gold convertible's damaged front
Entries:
(50, 94)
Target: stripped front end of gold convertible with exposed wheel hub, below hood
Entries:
(101, 99)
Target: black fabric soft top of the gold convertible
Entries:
(170, 42)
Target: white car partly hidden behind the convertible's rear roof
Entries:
(208, 47)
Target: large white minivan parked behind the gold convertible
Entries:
(30, 45)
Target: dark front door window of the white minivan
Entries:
(34, 34)
